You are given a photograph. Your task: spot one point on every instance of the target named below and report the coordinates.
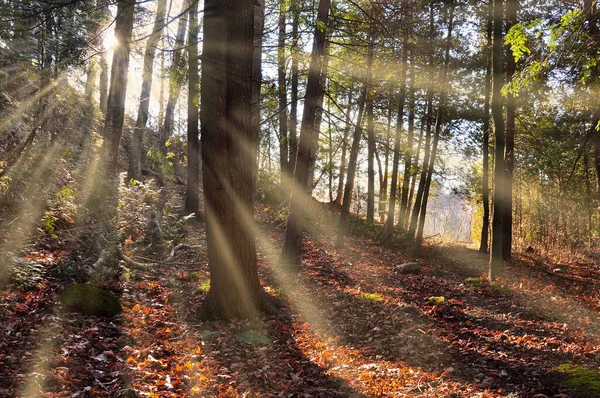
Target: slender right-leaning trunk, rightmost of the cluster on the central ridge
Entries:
(437, 131)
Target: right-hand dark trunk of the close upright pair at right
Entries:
(509, 150)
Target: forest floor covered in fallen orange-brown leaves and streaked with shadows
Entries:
(353, 327)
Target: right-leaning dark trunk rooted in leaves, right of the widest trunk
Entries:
(292, 246)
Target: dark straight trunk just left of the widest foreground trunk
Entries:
(192, 194)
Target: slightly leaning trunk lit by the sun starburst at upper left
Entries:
(115, 110)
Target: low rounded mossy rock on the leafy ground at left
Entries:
(90, 300)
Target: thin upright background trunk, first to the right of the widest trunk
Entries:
(282, 92)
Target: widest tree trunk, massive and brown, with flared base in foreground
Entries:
(229, 144)
